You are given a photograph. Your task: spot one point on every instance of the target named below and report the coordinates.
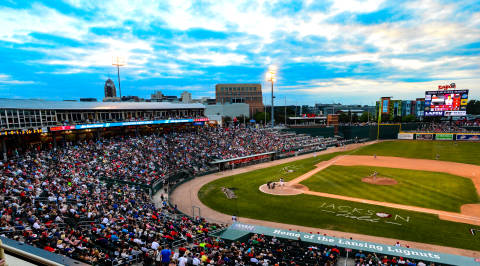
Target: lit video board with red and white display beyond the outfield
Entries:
(446, 103)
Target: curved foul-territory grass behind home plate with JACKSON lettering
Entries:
(328, 213)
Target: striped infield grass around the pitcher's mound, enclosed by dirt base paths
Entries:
(416, 188)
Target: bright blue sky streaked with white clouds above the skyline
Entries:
(346, 51)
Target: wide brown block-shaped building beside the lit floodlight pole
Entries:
(249, 93)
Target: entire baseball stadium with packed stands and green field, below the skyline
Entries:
(163, 178)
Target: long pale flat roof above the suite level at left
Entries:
(70, 105)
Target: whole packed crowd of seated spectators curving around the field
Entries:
(55, 200)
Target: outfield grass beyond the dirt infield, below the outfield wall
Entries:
(461, 152)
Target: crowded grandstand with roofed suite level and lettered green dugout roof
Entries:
(102, 196)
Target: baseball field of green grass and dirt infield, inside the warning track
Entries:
(432, 193)
